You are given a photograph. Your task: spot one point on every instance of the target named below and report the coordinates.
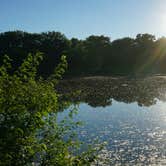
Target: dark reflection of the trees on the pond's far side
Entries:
(99, 91)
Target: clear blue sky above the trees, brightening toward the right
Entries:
(81, 18)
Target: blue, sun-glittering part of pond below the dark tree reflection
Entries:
(134, 134)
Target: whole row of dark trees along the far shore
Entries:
(95, 55)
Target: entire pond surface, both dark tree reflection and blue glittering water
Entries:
(129, 114)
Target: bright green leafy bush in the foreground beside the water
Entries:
(29, 133)
